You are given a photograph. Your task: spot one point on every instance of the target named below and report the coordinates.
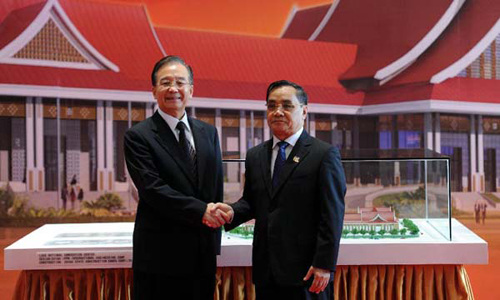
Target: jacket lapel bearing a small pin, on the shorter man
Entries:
(296, 157)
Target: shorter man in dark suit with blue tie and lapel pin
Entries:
(294, 188)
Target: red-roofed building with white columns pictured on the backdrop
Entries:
(74, 75)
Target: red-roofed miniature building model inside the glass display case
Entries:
(371, 218)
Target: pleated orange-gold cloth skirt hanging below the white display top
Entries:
(405, 282)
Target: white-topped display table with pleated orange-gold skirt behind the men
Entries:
(92, 261)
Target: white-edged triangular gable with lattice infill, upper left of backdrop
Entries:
(53, 40)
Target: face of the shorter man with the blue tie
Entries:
(285, 114)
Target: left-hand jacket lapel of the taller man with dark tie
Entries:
(167, 140)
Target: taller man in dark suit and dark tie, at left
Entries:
(175, 163)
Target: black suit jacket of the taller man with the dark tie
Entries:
(169, 236)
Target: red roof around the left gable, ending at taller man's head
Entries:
(121, 33)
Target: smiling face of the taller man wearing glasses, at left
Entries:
(173, 90)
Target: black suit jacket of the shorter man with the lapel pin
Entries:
(298, 224)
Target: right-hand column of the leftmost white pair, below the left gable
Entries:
(39, 162)
